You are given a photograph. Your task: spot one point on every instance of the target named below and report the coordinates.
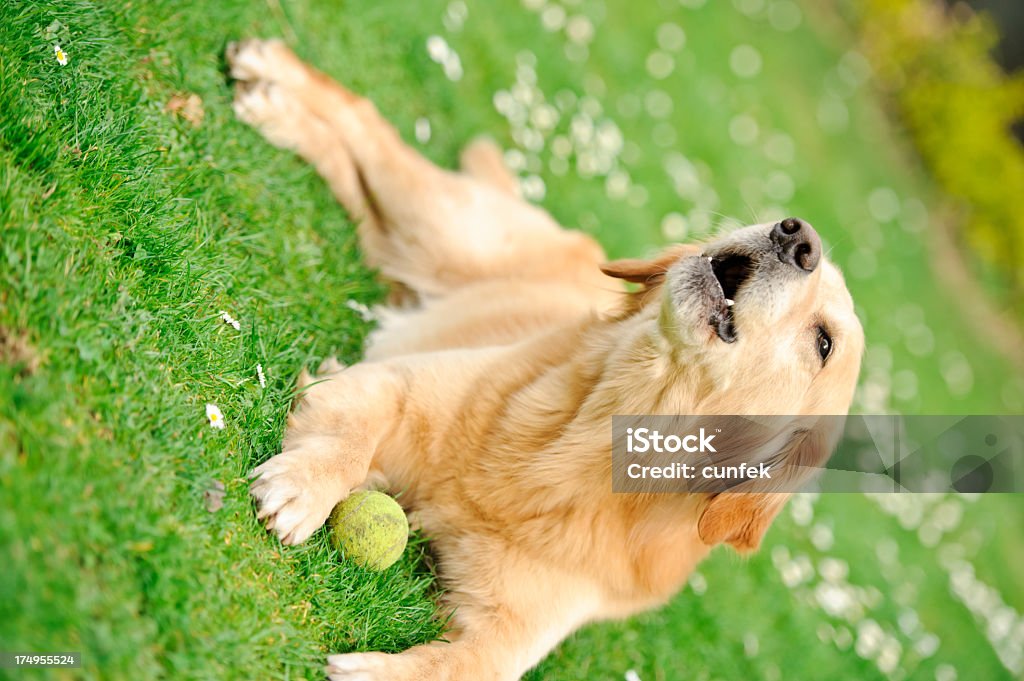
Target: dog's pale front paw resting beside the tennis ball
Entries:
(294, 496)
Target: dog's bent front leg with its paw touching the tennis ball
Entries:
(330, 443)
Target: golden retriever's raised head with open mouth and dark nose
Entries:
(765, 326)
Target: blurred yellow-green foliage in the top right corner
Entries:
(960, 107)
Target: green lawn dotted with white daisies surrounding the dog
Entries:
(126, 231)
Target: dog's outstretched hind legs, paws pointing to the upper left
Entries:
(432, 230)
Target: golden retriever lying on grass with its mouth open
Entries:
(486, 400)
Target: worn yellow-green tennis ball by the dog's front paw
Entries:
(371, 529)
